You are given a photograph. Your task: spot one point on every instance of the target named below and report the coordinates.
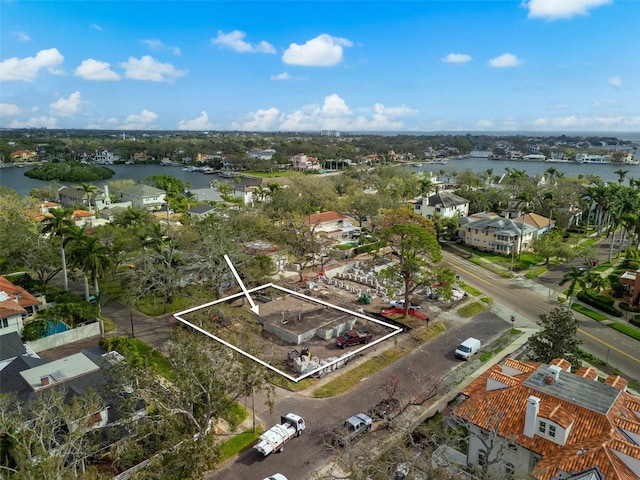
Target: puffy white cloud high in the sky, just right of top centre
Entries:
(322, 51)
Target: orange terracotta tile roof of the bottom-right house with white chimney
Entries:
(596, 419)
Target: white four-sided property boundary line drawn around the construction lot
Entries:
(178, 316)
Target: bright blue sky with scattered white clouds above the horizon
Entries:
(412, 66)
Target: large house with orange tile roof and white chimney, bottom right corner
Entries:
(533, 420)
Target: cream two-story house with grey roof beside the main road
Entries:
(492, 233)
